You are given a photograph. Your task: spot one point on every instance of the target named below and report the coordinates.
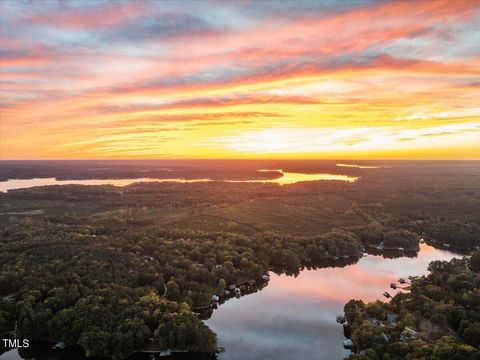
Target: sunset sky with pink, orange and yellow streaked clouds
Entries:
(96, 79)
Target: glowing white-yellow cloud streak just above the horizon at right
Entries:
(324, 140)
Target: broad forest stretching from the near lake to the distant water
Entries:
(119, 269)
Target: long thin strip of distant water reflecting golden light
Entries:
(283, 179)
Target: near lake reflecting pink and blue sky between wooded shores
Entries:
(294, 317)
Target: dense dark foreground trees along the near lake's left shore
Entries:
(125, 286)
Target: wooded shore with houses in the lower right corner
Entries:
(435, 317)
